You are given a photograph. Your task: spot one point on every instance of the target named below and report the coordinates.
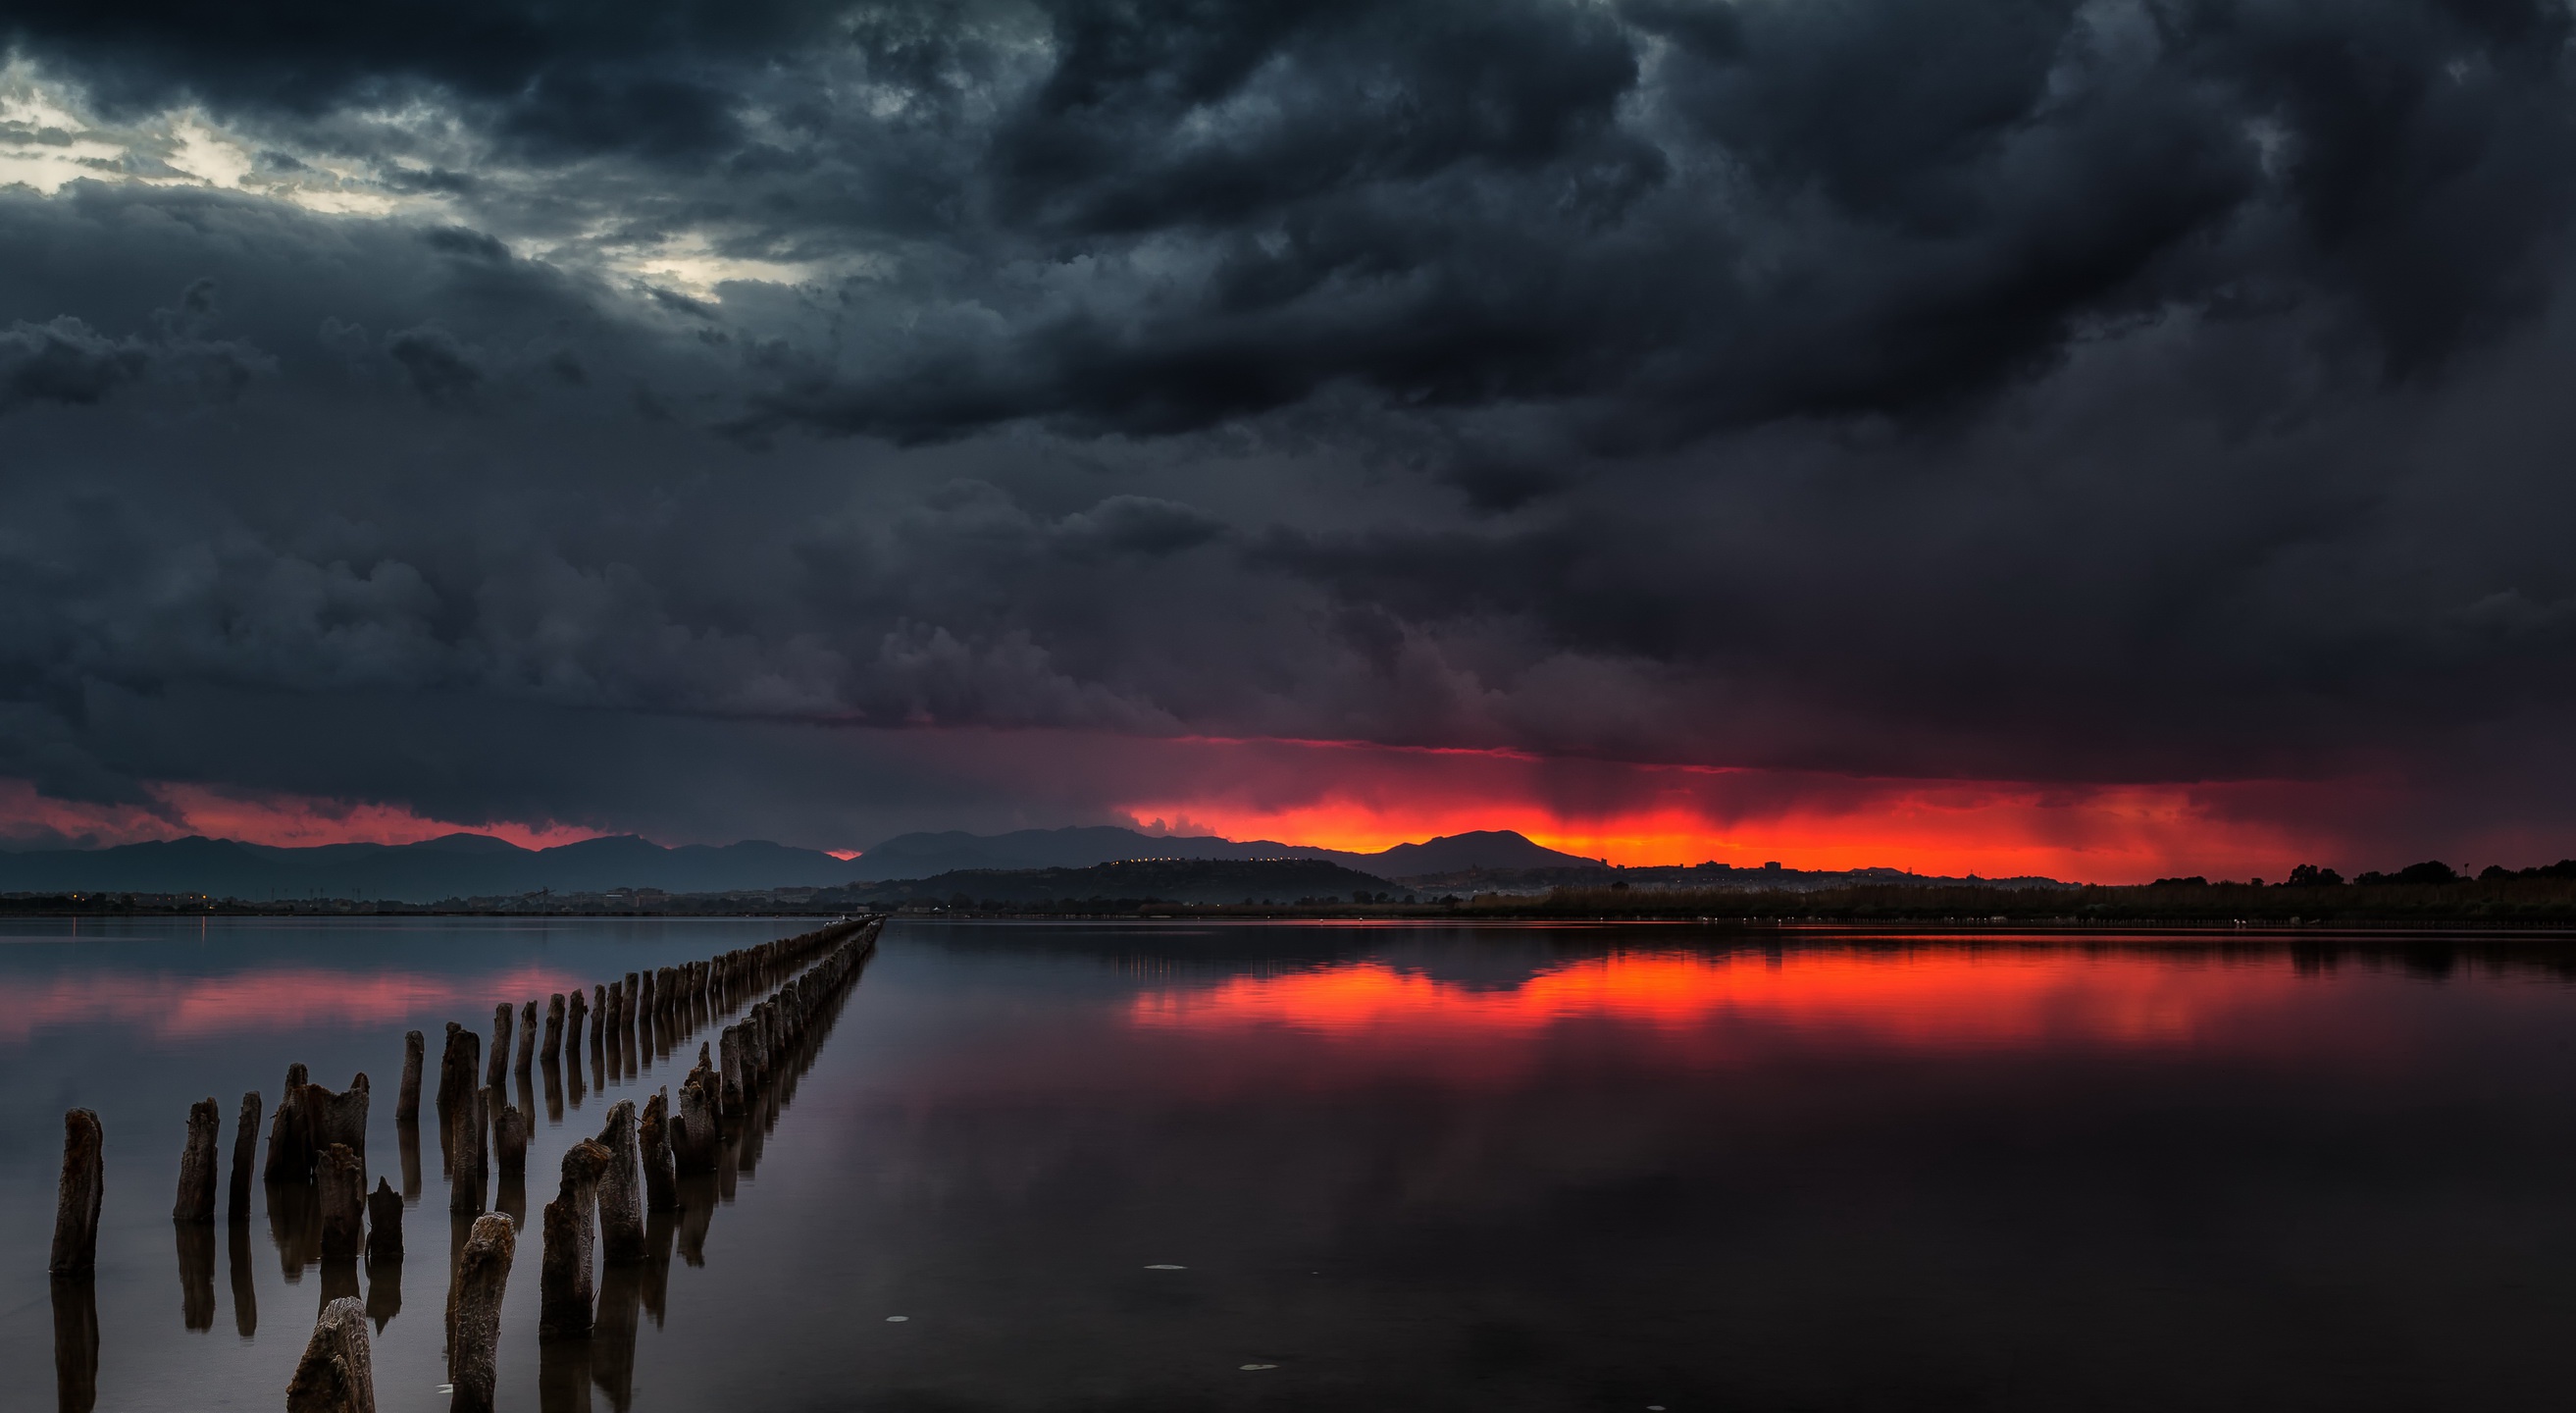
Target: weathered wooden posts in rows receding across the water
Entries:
(609, 1182)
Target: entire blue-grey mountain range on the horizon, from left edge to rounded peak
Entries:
(470, 865)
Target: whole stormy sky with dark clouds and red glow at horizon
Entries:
(2101, 440)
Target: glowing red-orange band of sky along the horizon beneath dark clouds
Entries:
(1367, 798)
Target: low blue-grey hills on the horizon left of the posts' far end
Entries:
(460, 865)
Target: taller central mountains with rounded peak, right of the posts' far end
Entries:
(926, 855)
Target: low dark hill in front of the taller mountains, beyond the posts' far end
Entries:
(1142, 881)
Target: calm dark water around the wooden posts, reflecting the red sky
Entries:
(1580, 1167)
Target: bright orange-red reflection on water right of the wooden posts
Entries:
(1913, 999)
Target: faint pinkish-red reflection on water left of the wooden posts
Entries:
(179, 1007)
